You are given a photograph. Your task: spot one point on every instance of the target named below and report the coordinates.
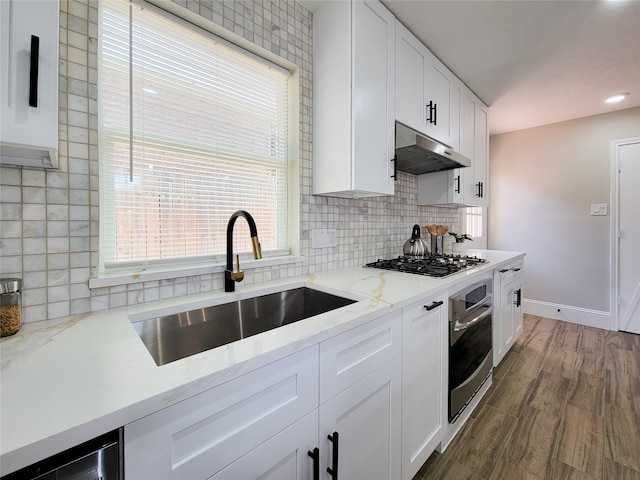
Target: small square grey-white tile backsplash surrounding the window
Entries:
(49, 220)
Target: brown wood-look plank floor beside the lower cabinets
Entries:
(564, 405)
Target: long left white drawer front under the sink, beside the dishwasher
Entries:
(198, 437)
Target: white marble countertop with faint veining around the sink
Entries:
(64, 382)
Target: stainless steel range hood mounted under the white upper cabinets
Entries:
(418, 154)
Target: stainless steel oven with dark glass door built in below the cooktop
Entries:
(470, 343)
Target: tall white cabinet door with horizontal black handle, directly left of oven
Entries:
(424, 380)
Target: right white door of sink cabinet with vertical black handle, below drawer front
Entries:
(366, 417)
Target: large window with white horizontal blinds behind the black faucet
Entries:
(192, 129)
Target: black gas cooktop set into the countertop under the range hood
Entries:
(429, 265)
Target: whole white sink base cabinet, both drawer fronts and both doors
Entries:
(265, 423)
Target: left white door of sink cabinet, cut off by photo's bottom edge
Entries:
(283, 457)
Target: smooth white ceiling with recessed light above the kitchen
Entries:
(534, 62)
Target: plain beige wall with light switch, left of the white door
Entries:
(543, 182)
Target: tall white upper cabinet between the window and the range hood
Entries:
(353, 99)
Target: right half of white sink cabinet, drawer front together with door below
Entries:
(360, 391)
